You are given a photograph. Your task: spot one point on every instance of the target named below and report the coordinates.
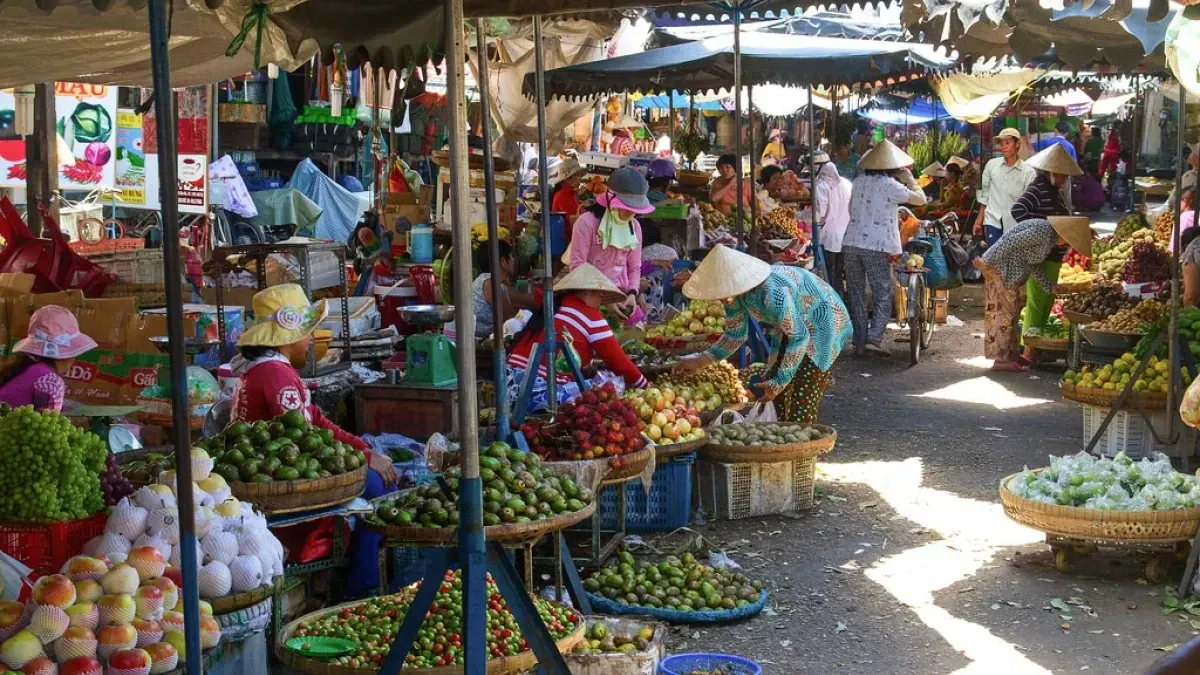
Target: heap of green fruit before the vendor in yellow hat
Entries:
(287, 449)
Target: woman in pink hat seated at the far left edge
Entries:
(44, 357)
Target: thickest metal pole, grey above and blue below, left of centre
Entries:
(472, 552)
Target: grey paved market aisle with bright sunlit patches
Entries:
(908, 565)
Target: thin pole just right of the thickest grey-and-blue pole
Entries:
(494, 236)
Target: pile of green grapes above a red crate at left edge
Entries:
(50, 469)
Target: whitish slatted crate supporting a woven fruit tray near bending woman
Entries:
(730, 492)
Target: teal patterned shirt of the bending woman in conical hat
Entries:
(802, 316)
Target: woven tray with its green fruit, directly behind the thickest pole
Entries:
(523, 501)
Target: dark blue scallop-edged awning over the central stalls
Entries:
(707, 65)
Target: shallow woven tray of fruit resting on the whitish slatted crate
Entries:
(769, 443)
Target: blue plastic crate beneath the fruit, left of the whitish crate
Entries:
(667, 507)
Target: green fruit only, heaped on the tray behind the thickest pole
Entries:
(517, 489)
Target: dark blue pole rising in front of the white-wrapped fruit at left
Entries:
(165, 109)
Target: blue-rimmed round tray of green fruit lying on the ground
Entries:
(679, 590)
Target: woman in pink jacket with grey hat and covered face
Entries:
(610, 238)
